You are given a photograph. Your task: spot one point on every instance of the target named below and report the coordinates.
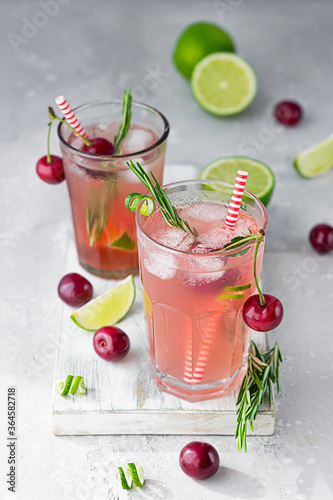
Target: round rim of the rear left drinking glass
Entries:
(117, 157)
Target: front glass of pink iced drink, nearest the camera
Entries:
(193, 293)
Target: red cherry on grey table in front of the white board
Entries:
(199, 460)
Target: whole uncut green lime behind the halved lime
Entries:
(197, 41)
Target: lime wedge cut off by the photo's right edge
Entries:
(315, 160)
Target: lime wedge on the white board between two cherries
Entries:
(107, 309)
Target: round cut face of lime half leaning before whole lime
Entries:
(223, 84)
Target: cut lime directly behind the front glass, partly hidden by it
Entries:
(261, 179)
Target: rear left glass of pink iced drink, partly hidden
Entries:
(104, 229)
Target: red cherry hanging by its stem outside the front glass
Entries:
(262, 318)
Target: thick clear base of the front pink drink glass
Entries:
(198, 392)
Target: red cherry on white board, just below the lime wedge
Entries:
(111, 343)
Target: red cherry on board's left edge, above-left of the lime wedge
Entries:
(75, 290)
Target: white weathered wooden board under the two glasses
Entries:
(122, 398)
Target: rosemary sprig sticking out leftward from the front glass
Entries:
(168, 211)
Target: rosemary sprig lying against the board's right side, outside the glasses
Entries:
(262, 372)
